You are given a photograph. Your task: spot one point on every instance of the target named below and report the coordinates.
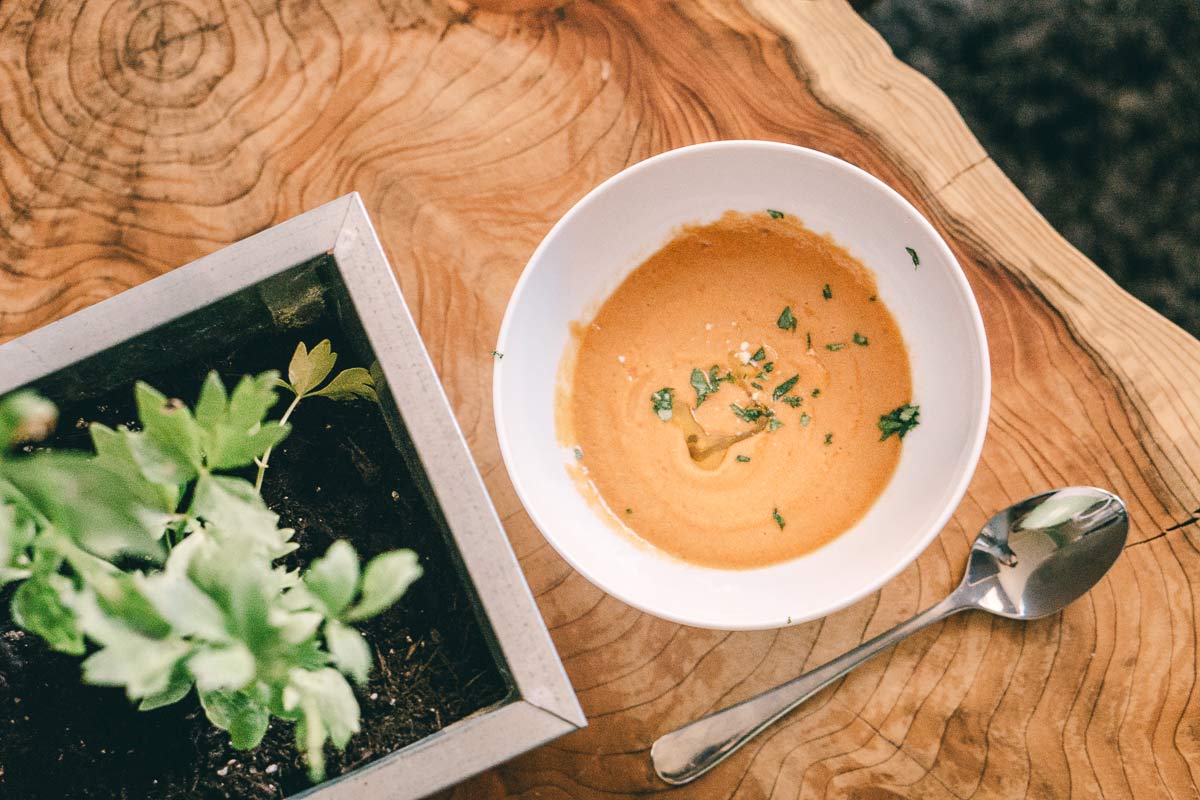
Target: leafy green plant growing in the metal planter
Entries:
(161, 566)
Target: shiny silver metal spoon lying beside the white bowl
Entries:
(1030, 561)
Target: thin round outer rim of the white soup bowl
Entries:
(961, 284)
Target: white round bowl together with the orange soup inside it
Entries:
(743, 386)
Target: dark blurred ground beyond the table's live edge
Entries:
(1093, 109)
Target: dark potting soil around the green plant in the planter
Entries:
(337, 477)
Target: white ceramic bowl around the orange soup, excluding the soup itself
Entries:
(611, 232)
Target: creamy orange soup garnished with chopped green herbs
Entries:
(741, 399)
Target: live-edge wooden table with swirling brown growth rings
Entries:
(139, 136)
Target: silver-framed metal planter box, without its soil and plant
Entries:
(332, 256)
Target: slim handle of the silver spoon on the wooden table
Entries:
(688, 753)
